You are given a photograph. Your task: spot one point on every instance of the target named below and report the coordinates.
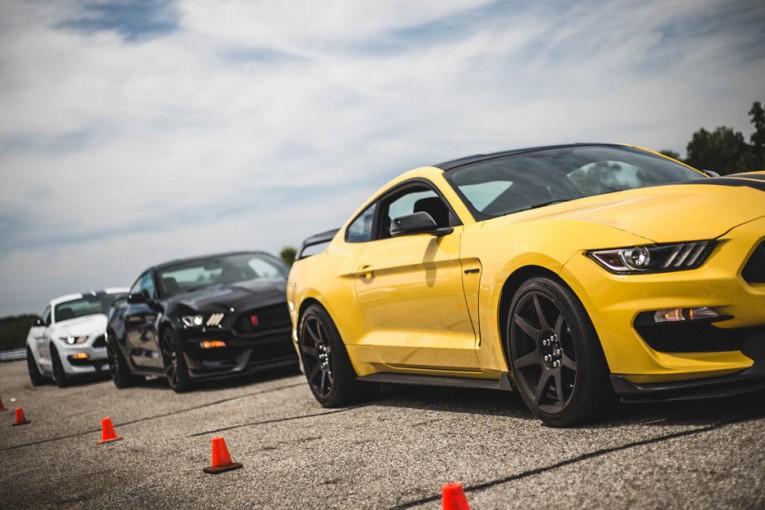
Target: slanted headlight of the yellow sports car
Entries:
(654, 258)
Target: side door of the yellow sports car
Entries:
(410, 295)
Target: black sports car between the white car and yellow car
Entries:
(202, 318)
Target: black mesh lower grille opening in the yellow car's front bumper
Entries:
(698, 337)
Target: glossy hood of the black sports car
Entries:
(239, 295)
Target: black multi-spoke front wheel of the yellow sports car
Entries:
(555, 355)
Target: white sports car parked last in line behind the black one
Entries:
(68, 341)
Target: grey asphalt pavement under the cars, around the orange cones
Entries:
(394, 452)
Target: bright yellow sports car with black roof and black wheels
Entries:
(572, 274)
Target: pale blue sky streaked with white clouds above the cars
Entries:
(136, 132)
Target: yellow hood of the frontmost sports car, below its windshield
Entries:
(705, 209)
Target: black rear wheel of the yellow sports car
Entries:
(325, 360)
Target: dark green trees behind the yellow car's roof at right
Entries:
(725, 150)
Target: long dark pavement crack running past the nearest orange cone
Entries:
(581, 458)
